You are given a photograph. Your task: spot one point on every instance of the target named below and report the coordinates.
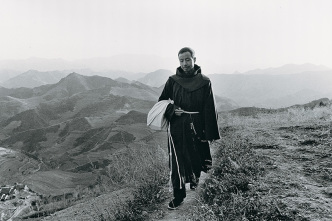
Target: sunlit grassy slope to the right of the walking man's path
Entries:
(271, 167)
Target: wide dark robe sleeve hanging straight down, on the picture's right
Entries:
(211, 128)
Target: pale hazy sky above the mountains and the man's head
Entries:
(228, 35)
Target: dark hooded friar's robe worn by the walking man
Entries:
(190, 151)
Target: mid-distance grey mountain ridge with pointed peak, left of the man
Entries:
(70, 88)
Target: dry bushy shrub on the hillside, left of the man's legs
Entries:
(146, 168)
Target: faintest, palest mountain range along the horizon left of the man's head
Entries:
(134, 63)
